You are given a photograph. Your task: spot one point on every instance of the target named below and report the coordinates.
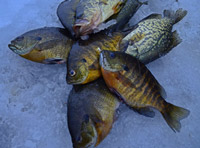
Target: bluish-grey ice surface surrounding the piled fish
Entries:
(33, 96)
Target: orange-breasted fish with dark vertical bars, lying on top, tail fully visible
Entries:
(130, 79)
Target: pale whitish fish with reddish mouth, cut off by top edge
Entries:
(90, 14)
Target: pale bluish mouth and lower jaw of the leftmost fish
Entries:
(19, 50)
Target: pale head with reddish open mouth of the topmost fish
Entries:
(87, 20)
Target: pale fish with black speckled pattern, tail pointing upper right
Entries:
(152, 37)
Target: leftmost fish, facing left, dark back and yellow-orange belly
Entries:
(48, 45)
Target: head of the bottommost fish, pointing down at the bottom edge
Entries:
(87, 137)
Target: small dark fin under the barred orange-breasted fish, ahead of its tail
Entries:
(146, 111)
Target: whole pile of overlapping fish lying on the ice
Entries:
(105, 60)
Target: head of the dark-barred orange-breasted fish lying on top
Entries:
(112, 60)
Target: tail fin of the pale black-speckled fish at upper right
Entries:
(175, 16)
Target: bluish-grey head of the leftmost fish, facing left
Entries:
(24, 44)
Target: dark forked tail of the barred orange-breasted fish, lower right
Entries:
(173, 114)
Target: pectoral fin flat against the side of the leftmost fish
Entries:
(48, 45)
